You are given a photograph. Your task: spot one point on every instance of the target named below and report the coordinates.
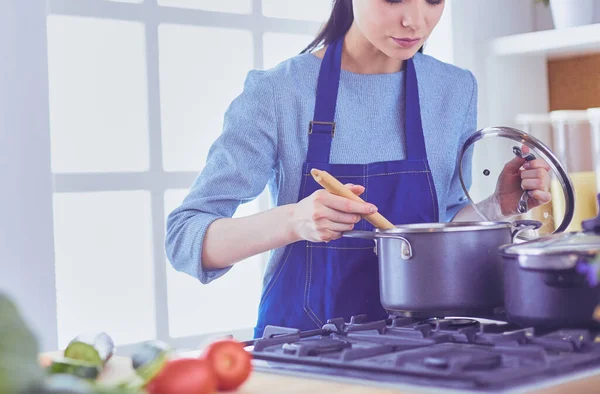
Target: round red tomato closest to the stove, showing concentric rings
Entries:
(230, 362)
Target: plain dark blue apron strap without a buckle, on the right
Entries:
(413, 127)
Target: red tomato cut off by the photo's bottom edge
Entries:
(184, 376)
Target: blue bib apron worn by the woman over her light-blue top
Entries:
(315, 282)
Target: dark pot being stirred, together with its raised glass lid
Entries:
(449, 269)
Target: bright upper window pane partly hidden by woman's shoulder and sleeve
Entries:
(202, 70)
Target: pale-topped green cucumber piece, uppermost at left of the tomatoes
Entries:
(94, 348)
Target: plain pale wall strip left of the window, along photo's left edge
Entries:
(26, 244)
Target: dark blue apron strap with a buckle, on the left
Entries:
(322, 128)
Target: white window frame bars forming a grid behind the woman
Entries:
(156, 180)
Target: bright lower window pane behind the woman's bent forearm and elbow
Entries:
(228, 303)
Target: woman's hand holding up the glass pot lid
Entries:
(518, 176)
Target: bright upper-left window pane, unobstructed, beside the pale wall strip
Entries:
(98, 95)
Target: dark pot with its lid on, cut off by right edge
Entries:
(553, 282)
